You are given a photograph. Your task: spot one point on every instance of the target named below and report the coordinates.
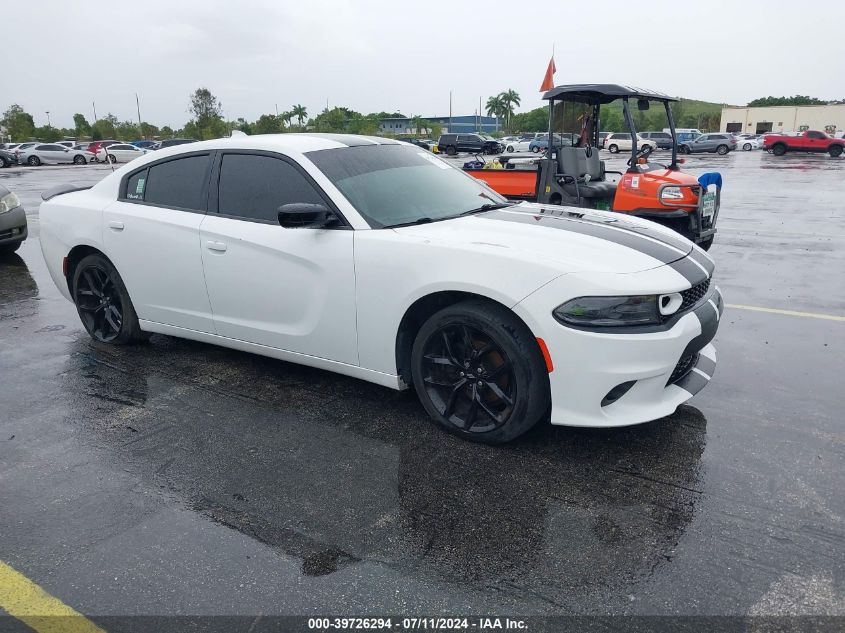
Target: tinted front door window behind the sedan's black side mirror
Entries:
(254, 187)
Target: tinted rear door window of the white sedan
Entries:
(177, 183)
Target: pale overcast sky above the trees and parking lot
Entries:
(371, 56)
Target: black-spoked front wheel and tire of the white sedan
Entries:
(479, 373)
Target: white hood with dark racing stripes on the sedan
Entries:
(570, 238)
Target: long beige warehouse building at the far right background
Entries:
(829, 118)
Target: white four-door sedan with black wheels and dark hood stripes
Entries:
(376, 259)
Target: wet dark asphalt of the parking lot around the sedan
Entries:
(180, 478)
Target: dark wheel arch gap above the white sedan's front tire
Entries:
(419, 312)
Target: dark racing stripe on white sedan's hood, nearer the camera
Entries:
(659, 251)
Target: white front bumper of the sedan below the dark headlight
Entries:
(588, 365)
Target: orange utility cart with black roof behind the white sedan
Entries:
(576, 176)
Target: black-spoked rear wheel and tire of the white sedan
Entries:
(103, 303)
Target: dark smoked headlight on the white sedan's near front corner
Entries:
(609, 311)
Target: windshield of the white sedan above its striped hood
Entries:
(397, 184)
